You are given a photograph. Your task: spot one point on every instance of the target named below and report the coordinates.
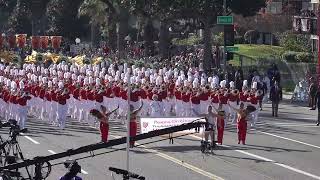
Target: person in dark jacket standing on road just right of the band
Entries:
(275, 98)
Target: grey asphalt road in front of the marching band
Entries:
(287, 147)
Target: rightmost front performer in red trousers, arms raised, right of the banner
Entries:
(241, 123)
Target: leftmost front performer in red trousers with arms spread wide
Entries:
(103, 117)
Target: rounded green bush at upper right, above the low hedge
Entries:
(295, 42)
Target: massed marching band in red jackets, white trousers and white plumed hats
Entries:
(51, 94)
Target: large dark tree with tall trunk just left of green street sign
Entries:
(208, 10)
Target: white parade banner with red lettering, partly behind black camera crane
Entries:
(151, 124)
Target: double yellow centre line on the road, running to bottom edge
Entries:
(179, 162)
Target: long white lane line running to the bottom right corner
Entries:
(271, 161)
